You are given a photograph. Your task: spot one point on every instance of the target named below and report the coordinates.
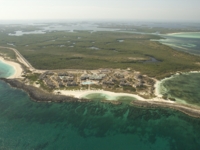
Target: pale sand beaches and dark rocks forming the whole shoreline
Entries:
(38, 95)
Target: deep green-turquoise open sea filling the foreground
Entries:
(28, 125)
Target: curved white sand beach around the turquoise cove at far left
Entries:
(16, 66)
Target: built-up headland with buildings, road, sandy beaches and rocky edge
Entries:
(72, 85)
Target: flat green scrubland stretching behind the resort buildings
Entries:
(53, 51)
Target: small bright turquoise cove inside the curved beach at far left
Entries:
(6, 70)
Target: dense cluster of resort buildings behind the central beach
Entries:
(104, 78)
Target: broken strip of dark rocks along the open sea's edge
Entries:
(39, 95)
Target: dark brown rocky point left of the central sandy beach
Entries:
(39, 95)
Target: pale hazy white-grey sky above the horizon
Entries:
(163, 10)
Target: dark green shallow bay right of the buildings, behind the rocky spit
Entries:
(185, 87)
